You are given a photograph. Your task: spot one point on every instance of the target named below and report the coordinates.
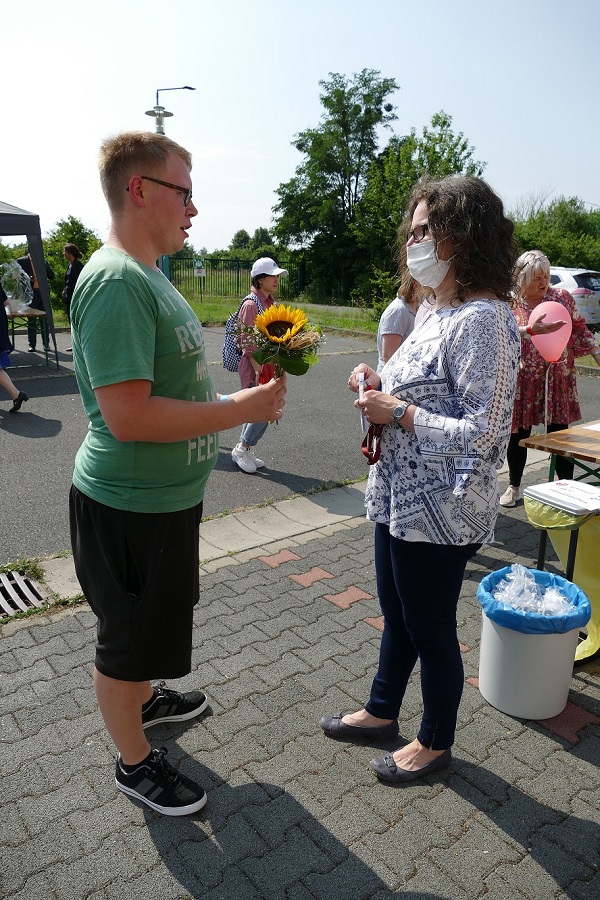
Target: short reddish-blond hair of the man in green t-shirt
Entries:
(134, 153)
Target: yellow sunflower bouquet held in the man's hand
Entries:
(284, 338)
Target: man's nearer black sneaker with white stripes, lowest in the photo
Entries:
(160, 786)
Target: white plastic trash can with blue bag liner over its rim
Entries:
(525, 658)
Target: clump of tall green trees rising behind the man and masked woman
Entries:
(343, 205)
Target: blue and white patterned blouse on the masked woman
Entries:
(439, 484)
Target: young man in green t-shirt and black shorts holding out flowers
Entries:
(139, 478)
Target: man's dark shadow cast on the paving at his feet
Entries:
(257, 841)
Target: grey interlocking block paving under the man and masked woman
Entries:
(288, 629)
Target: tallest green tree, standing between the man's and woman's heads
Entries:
(317, 207)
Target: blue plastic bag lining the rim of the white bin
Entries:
(528, 622)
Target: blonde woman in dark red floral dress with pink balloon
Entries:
(553, 333)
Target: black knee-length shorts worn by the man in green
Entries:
(140, 574)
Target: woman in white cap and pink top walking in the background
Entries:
(265, 280)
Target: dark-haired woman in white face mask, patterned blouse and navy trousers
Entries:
(445, 399)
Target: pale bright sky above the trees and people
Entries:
(518, 77)
